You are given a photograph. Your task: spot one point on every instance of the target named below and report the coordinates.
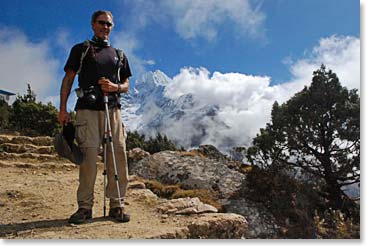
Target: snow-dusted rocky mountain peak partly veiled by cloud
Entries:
(149, 110)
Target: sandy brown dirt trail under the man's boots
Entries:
(36, 200)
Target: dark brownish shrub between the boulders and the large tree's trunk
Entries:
(291, 202)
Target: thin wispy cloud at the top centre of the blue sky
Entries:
(202, 18)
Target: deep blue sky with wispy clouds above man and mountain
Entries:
(253, 37)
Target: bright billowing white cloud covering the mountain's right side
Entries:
(244, 102)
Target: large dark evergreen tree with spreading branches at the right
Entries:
(317, 131)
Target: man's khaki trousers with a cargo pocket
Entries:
(89, 135)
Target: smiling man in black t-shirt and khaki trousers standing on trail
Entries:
(100, 70)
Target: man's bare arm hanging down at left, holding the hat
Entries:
(67, 83)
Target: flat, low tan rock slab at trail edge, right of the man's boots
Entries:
(186, 205)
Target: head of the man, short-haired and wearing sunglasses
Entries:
(102, 23)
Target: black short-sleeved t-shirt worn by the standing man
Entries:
(98, 62)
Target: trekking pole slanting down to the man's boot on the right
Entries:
(109, 139)
